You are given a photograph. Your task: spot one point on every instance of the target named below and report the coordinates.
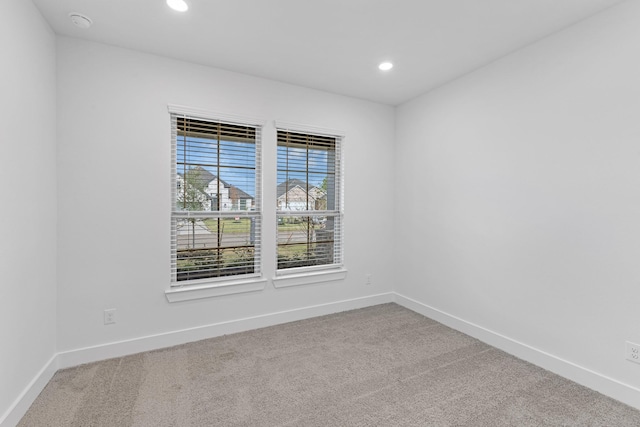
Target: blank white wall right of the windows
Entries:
(528, 175)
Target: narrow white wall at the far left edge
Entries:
(28, 214)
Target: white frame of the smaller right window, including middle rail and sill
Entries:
(326, 272)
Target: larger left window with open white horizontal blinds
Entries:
(216, 207)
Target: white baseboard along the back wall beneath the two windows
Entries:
(168, 339)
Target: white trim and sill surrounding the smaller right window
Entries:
(318, 273)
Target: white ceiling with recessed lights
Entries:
(332, 45)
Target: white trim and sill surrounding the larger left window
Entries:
(225, 285)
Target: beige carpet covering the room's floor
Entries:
(378, 366)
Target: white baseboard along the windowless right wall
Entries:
(608, 386)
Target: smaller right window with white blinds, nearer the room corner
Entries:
(309, 203)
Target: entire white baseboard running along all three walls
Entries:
(601, 383)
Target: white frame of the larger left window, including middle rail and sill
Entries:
(220, 285)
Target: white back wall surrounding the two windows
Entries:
(114, 190)
